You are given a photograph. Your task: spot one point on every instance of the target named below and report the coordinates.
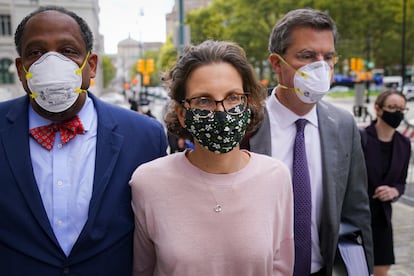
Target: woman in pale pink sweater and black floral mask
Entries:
(214, 210)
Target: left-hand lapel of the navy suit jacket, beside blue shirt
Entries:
(16, 147)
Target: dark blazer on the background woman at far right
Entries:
(397, 174)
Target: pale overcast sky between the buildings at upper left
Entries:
(120, 19)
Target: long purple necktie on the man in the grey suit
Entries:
(302, 203)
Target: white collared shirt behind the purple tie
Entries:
(283, 132)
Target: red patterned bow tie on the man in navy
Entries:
(45, 135)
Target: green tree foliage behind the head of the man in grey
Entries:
(370, 29)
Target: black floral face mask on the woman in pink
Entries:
(219, 132)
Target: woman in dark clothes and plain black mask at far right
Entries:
(387, 156)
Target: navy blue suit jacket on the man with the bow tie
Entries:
(27, 242)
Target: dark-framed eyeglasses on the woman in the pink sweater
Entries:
(233, 104)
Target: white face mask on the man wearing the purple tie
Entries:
(312, 81)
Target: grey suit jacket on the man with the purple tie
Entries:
(344, 178)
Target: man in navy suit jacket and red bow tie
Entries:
(65, 201)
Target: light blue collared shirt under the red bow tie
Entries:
(65, 175)
